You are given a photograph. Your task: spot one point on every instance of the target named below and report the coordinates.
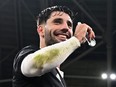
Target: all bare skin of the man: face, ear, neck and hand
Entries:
(61, 22)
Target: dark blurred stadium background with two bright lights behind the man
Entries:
(85, 67)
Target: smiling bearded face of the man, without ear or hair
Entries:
(58, 28)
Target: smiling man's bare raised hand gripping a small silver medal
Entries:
(82, 30)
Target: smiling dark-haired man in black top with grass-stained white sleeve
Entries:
(40, 67)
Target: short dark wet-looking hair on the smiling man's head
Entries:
(45, 14)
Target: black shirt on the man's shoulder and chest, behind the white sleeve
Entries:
(19, 80)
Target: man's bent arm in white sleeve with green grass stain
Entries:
(45, 59)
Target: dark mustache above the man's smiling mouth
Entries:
(64, 32)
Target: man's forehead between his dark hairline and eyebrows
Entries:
(60, 14)
